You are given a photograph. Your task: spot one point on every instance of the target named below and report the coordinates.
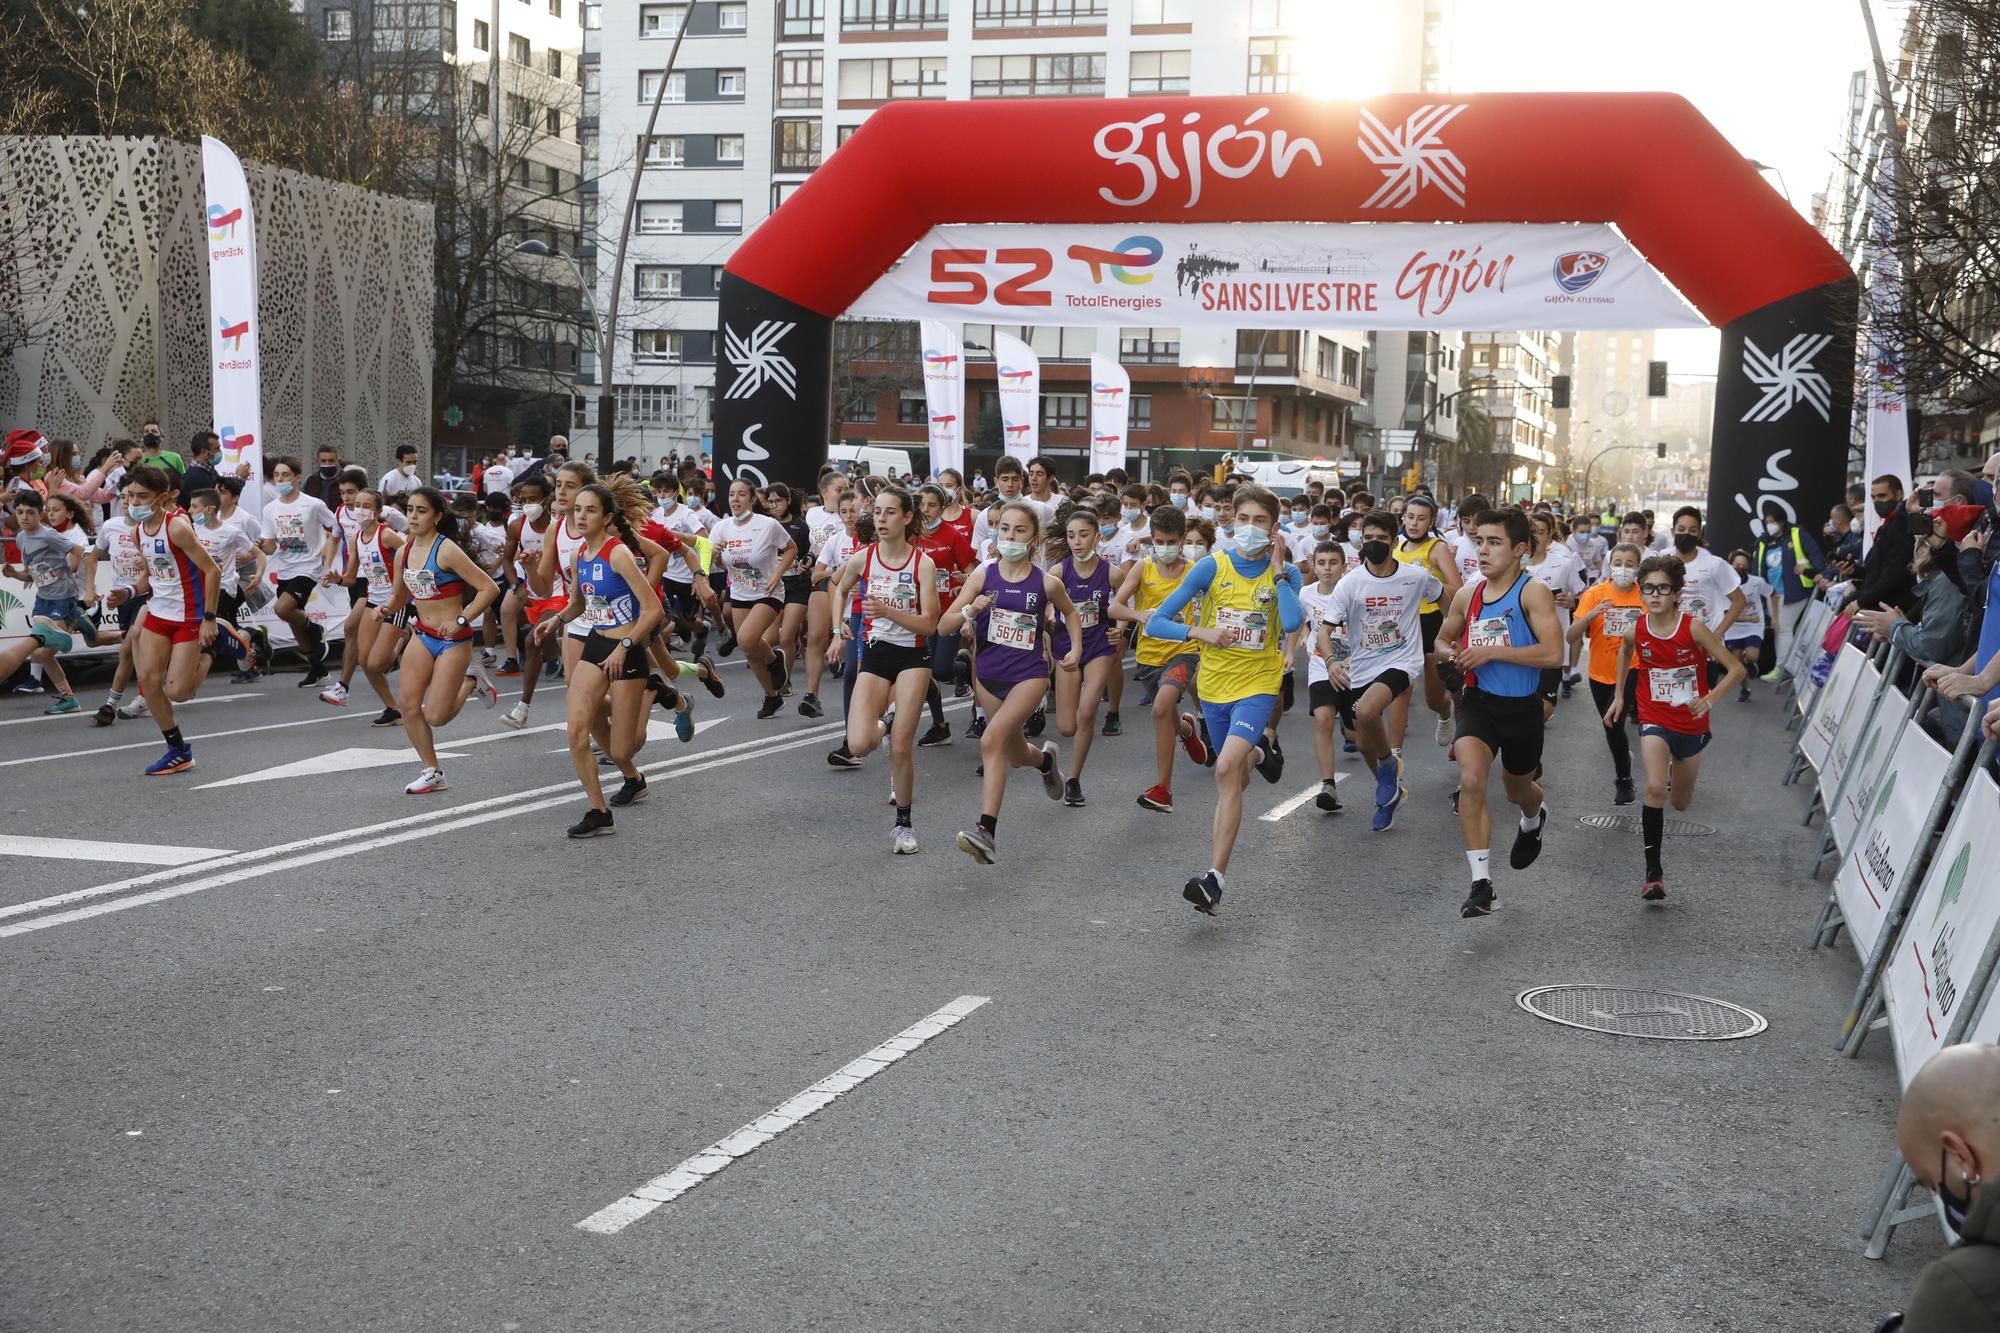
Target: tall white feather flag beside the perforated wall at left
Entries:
(229, 235)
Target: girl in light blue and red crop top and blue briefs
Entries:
(437, 676)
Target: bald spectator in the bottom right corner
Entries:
(1949, 1132)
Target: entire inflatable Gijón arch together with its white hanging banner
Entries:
(1415, 211)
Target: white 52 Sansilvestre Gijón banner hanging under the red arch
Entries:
(1283, 275)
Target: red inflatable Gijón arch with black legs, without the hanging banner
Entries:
(1647, 163)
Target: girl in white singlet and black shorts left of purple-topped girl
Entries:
(899, 589)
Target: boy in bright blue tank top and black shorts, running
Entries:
(1503, 635)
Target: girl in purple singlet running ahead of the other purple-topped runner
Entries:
(1007, 603)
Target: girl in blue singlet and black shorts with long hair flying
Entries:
(611, 613)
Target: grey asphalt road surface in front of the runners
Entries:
(367, 1060)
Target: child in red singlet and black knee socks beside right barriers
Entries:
(1669, 649)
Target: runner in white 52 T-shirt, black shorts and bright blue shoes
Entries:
(1381, 607)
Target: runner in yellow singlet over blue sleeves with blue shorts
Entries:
(1243, 668)
